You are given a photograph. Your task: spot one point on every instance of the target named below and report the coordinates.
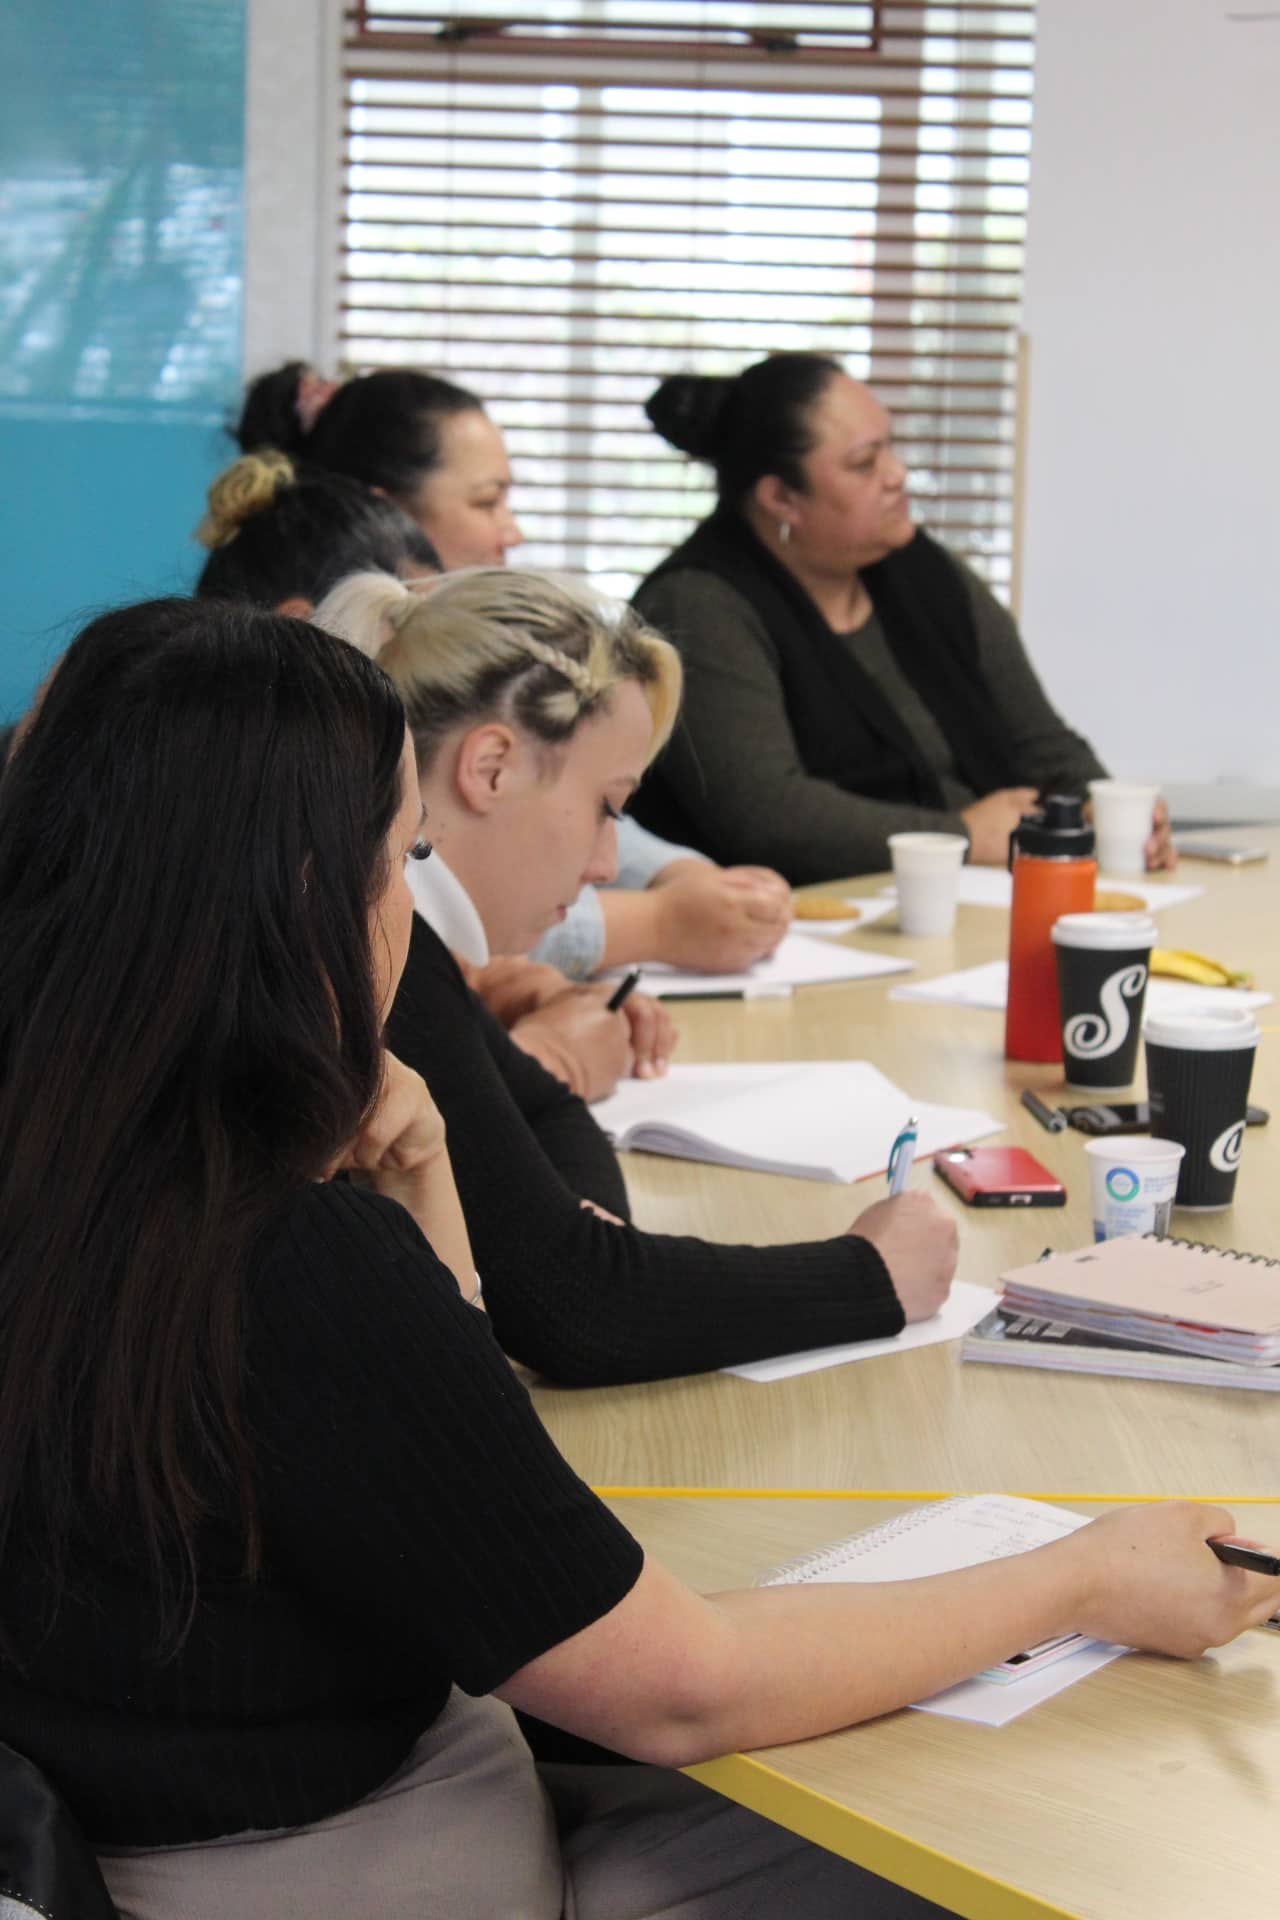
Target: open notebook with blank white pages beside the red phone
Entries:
(813, 1118)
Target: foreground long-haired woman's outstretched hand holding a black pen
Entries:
(1147, 1577)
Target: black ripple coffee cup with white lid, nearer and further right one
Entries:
(1198, 1086)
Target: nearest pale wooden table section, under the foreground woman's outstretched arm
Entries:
(1150, 1788)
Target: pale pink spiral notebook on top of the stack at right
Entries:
(1177, 1295)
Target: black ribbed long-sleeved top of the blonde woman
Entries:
(569, 1295)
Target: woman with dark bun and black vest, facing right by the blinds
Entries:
(845, 677)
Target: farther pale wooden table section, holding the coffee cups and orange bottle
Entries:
(922, 1422)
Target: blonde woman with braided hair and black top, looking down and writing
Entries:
(534, 709)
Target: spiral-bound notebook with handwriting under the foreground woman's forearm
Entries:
(943, 1539)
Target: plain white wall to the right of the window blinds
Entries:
(1150, 581)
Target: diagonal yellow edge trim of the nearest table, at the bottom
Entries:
(907, 1863)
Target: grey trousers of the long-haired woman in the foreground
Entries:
(471, 1829)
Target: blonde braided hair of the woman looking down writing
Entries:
(502, 644)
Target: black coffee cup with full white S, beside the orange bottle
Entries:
(1102, 982)
